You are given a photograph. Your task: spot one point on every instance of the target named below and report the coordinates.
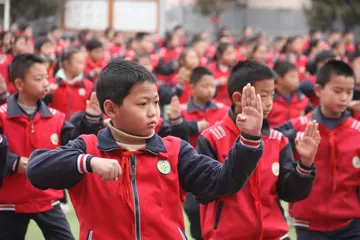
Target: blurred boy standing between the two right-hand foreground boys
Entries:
(288, 102)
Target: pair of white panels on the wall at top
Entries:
(122, 15)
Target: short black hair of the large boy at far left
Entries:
(21, 65)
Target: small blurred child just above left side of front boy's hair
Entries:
(95, 60)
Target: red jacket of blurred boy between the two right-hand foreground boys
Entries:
(286, 109)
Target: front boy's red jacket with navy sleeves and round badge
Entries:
(157, 177)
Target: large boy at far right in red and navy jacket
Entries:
(332, 210)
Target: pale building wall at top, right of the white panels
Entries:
(274, 17)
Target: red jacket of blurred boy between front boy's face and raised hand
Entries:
(192, 114)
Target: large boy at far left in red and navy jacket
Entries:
(29, 124)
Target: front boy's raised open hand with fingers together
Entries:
(251, 119)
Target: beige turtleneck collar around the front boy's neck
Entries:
(126, 140)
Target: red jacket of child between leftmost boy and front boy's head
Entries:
(71, 98)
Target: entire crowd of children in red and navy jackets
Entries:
(270, 121)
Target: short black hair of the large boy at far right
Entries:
(333, 68)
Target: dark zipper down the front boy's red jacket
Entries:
(136, 197)
